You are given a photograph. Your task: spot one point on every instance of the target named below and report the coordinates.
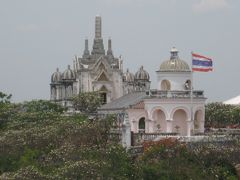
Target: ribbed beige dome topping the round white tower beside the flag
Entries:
(174, 64)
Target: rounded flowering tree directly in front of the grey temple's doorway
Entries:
(87, 102)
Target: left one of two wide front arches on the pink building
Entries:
(160, 121)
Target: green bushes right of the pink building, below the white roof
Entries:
(221, 115)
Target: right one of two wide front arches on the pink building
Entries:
(180, 122)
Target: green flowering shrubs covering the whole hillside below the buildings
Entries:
(39, 141)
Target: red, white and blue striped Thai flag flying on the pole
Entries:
(201, 63)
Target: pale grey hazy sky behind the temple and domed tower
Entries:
(37, 36)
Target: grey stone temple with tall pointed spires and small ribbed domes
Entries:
(97, 70)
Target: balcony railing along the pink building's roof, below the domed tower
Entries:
(174, 94)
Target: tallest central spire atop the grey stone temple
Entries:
(98, 47)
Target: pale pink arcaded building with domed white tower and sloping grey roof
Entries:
(171, 108)
